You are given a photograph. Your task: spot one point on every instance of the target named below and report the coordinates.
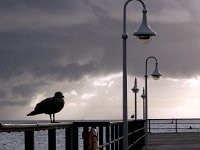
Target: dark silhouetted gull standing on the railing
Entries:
(49, 106)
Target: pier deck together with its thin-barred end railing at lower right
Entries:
(173, 134)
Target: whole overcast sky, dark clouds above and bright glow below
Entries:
(75, 46)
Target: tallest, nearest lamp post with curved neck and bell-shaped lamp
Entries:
(144, 33)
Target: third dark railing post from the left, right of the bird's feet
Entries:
(68, 138)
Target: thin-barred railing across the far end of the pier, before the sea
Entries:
(173, 125)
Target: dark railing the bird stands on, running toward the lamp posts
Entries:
(109, 134)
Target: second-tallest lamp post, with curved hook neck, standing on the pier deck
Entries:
(156, 75)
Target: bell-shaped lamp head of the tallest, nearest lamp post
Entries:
(144, 33)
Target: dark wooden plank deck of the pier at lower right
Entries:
(173, 141)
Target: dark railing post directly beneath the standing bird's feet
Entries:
(52, 139)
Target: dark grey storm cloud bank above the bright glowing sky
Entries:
(53, 41)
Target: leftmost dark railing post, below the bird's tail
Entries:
(29, 140)
